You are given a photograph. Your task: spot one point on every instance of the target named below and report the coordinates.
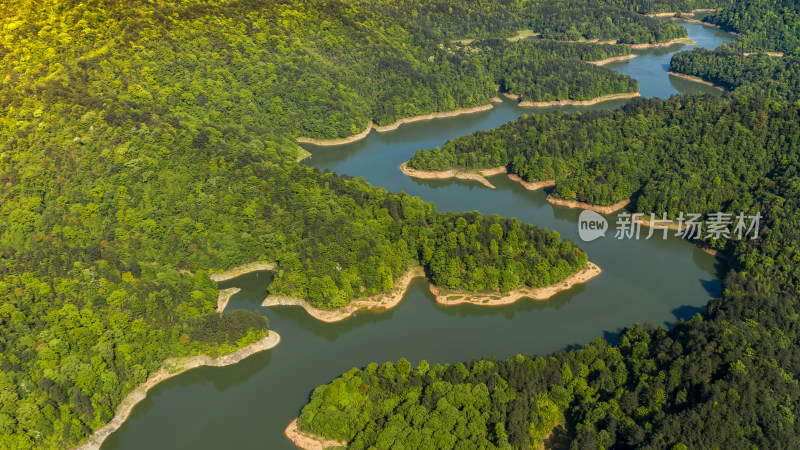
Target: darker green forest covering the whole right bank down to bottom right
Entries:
(725, 379)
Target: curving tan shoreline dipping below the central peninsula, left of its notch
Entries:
(380, 302)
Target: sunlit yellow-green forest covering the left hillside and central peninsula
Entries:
(145, 145)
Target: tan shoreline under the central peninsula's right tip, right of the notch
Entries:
(589, 271)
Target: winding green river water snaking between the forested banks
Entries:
(249, 404)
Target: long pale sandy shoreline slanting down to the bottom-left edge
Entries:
(170, 368)
